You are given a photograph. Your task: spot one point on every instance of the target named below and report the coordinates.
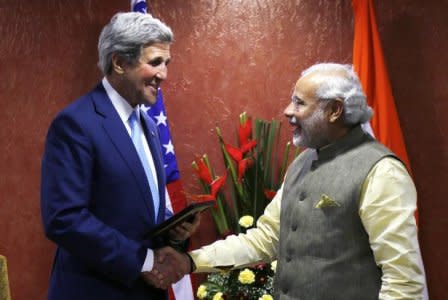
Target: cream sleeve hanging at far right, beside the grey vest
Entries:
(387, 206)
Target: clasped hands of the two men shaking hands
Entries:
(169, 267)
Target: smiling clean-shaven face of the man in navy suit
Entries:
(139, 83)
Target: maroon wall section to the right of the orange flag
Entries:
(415, 38)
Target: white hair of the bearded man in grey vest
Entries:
(341, 82)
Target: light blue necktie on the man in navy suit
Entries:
(136, 135)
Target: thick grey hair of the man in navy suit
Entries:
(127, 34)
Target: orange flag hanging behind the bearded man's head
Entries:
(368, 61)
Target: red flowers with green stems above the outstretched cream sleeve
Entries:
(254, 171)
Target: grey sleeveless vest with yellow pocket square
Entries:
(324, 251)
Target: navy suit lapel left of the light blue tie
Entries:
(119, 136)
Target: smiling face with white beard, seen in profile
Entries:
(307, 115)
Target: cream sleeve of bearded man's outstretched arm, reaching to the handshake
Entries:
(257, 244)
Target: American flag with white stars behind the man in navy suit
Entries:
(182, 290)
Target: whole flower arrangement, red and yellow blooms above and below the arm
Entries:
(254, 170)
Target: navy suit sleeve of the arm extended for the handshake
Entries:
(66, 184)
